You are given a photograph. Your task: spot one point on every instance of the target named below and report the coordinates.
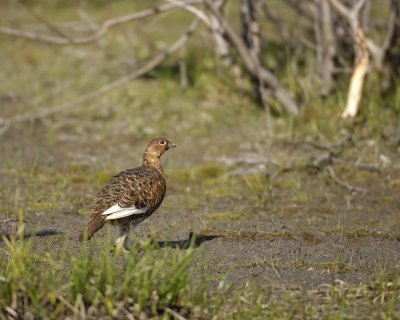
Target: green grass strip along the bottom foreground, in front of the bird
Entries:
(149, 282)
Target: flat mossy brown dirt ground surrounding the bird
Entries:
(260, 211)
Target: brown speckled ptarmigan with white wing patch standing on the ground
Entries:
(132, 195)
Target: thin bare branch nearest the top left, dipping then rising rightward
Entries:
(103, 29)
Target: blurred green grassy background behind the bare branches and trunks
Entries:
(288, 50)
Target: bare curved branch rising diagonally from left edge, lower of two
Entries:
(150, 65)
